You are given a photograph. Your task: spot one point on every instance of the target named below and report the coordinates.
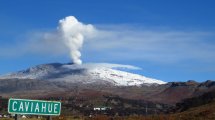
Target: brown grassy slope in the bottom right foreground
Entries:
(204, 112)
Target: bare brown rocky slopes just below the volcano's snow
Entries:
(169, 93)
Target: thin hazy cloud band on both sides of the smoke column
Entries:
(123, 43)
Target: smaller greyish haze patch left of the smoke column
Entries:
(36, 43)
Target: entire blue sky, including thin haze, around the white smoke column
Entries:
(170, 40)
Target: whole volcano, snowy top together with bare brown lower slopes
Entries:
(95, 80)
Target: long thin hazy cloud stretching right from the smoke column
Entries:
(168, 46)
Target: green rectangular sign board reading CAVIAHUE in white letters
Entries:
(34, 107)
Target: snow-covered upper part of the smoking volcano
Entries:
(91, 73)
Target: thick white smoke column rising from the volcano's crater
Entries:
(73, 34)
